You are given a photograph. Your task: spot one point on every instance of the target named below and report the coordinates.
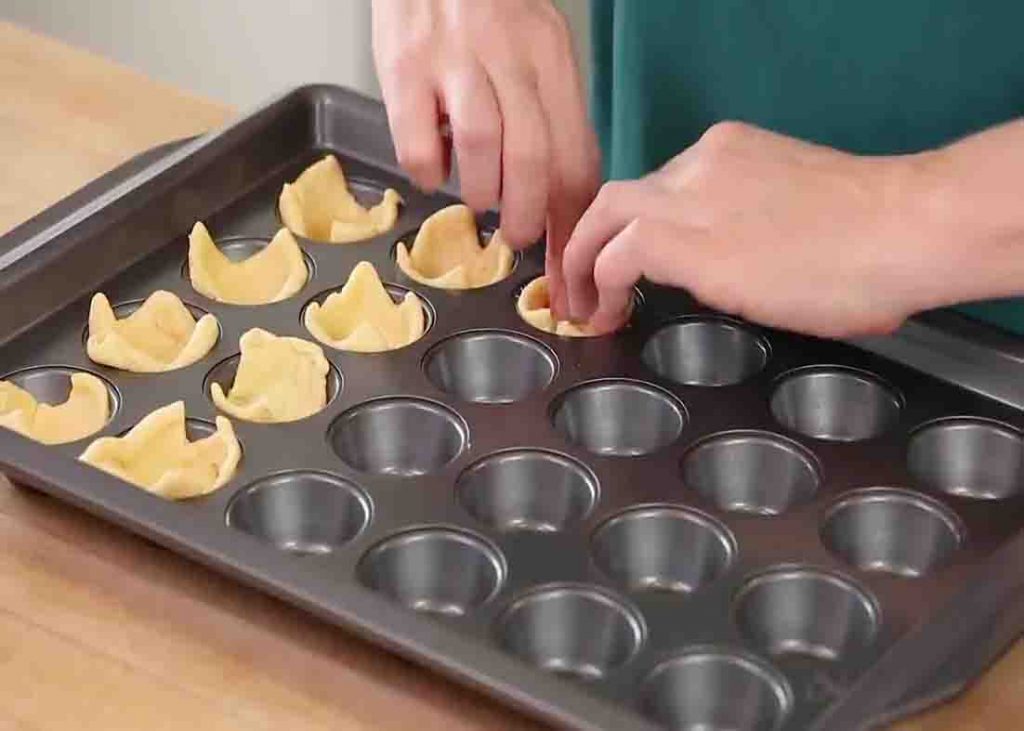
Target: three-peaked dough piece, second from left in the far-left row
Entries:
(161, 335)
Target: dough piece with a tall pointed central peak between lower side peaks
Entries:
(363, 318)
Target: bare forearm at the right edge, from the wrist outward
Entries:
(966, 207)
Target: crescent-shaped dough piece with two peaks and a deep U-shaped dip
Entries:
(274, 274)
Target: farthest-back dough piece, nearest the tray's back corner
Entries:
(320, 206)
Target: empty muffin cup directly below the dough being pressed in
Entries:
(619, 417)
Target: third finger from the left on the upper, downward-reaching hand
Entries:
(525, 157)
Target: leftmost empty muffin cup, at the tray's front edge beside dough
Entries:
(303, 512)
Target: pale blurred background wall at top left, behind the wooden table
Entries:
(237, 52)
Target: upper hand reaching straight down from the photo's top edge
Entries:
(503, 73)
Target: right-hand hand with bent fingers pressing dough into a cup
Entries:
(770, 229)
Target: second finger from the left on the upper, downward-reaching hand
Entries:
(477, 132)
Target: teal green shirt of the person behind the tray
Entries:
(872, 77)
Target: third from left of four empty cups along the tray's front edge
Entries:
(579, 632)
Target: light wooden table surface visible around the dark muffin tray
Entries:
(102, 630)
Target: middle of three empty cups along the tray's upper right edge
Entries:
(835, 404)
